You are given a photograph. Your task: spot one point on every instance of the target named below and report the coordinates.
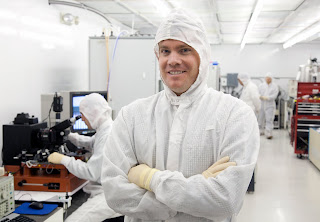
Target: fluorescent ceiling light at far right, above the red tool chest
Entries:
(303, 35)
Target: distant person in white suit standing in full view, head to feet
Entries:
(268, 93)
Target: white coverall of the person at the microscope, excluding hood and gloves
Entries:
(96, 207)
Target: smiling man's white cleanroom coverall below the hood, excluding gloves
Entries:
(182, 144)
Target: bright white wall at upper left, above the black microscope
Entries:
(39, 55)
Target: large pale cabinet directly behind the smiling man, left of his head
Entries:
(133, 66)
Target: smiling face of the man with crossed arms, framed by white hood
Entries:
(179, 65)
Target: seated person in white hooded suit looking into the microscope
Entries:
(96, 113)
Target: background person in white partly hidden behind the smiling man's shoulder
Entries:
(250, 93)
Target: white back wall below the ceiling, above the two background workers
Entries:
(257, 60)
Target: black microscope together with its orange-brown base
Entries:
(26, 147)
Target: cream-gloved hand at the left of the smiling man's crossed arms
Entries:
(141, 175)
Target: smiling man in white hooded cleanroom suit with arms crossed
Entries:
(160, 162)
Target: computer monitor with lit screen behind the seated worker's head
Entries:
(75, 99)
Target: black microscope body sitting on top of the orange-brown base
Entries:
(34, 142)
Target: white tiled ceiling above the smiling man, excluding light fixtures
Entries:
(278, 21)
